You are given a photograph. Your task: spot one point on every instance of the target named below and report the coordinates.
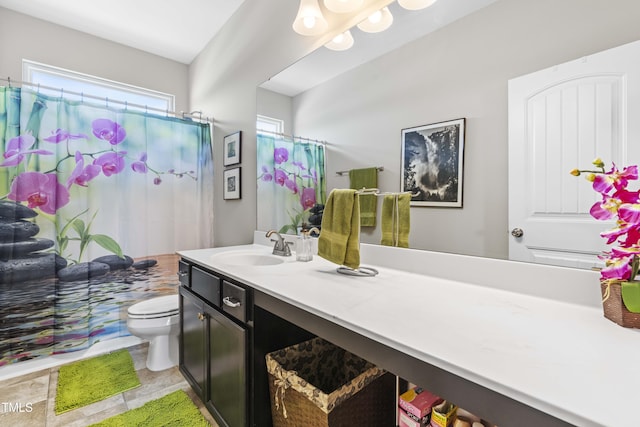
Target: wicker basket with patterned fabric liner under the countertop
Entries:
(316, 384)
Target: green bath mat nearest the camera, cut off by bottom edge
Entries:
(175, 409)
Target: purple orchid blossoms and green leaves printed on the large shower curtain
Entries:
(42, 190)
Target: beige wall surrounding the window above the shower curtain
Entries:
(24, 37)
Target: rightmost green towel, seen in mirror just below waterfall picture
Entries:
(396, 220)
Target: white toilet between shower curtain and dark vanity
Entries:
(157, 320)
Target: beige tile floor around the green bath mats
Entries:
(28, 400)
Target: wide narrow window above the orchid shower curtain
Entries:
(55, 81)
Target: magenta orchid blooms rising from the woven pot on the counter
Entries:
(618, 202)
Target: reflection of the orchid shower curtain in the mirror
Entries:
(291, 181)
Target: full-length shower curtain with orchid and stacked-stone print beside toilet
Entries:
(94, 202)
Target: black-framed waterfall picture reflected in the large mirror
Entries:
(432, 163)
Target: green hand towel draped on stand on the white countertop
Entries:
(339, 240)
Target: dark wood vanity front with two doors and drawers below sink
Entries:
(214, 345)
